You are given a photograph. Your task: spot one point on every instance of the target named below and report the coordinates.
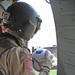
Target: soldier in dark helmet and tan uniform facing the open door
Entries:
(20, 23)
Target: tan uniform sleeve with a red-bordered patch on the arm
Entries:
(16, 62)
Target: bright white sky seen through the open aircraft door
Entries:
(46, 36)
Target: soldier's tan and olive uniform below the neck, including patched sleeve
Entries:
(14, 60)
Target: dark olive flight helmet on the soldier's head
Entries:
(23, 20)
